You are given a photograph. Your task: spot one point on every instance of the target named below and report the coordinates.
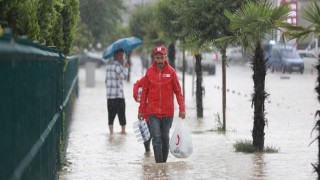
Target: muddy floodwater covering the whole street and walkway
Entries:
(93, 154)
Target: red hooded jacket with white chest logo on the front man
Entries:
(159, 91)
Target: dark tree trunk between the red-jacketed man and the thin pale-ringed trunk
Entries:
(199, 87)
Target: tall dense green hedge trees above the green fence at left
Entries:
(51, 22)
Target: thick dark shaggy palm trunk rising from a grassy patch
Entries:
(259, 73)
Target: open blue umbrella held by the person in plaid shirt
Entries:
(127, 44)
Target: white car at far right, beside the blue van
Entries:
(310, 60)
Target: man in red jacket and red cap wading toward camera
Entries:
(158, 91)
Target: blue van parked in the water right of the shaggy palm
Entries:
(284, 58)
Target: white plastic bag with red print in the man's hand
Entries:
(180, 142)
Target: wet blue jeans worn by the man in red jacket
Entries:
(160, 129)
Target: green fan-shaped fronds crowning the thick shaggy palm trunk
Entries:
(253, 21)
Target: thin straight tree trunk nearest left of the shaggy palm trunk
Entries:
(224, 64)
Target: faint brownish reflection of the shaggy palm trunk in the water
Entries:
(258, 166)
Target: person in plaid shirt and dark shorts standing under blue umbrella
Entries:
(116, 72)
